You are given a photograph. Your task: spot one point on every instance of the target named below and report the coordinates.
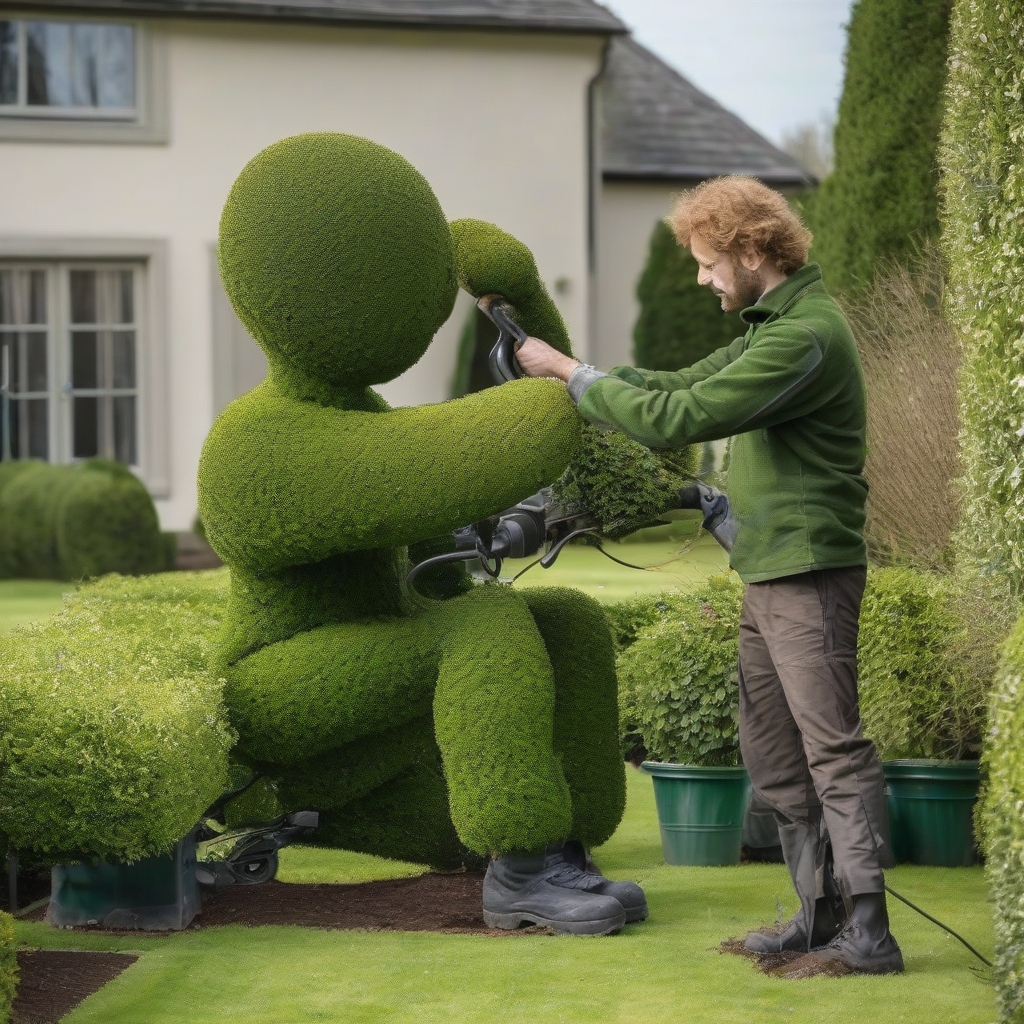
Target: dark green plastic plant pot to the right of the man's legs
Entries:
(931, 812)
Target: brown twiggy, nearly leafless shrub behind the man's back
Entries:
(911, 356)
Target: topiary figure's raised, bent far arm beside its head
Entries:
(491, 262)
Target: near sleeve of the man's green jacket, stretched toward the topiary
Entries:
(769, 383)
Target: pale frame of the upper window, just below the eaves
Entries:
(147, 123)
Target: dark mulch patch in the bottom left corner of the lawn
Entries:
(53, 983)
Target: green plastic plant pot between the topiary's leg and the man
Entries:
(701, 813)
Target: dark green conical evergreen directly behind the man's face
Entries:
(680, 323)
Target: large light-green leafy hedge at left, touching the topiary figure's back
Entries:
(113, 735)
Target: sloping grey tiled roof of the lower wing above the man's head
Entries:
(659, 125)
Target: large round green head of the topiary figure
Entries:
(337, 259)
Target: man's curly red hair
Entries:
(736, 212)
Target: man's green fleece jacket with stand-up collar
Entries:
(791, 394)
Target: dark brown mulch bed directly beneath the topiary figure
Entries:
(450, 904)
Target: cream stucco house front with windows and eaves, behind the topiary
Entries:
(118, 338)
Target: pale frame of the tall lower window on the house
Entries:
(150, 258)
